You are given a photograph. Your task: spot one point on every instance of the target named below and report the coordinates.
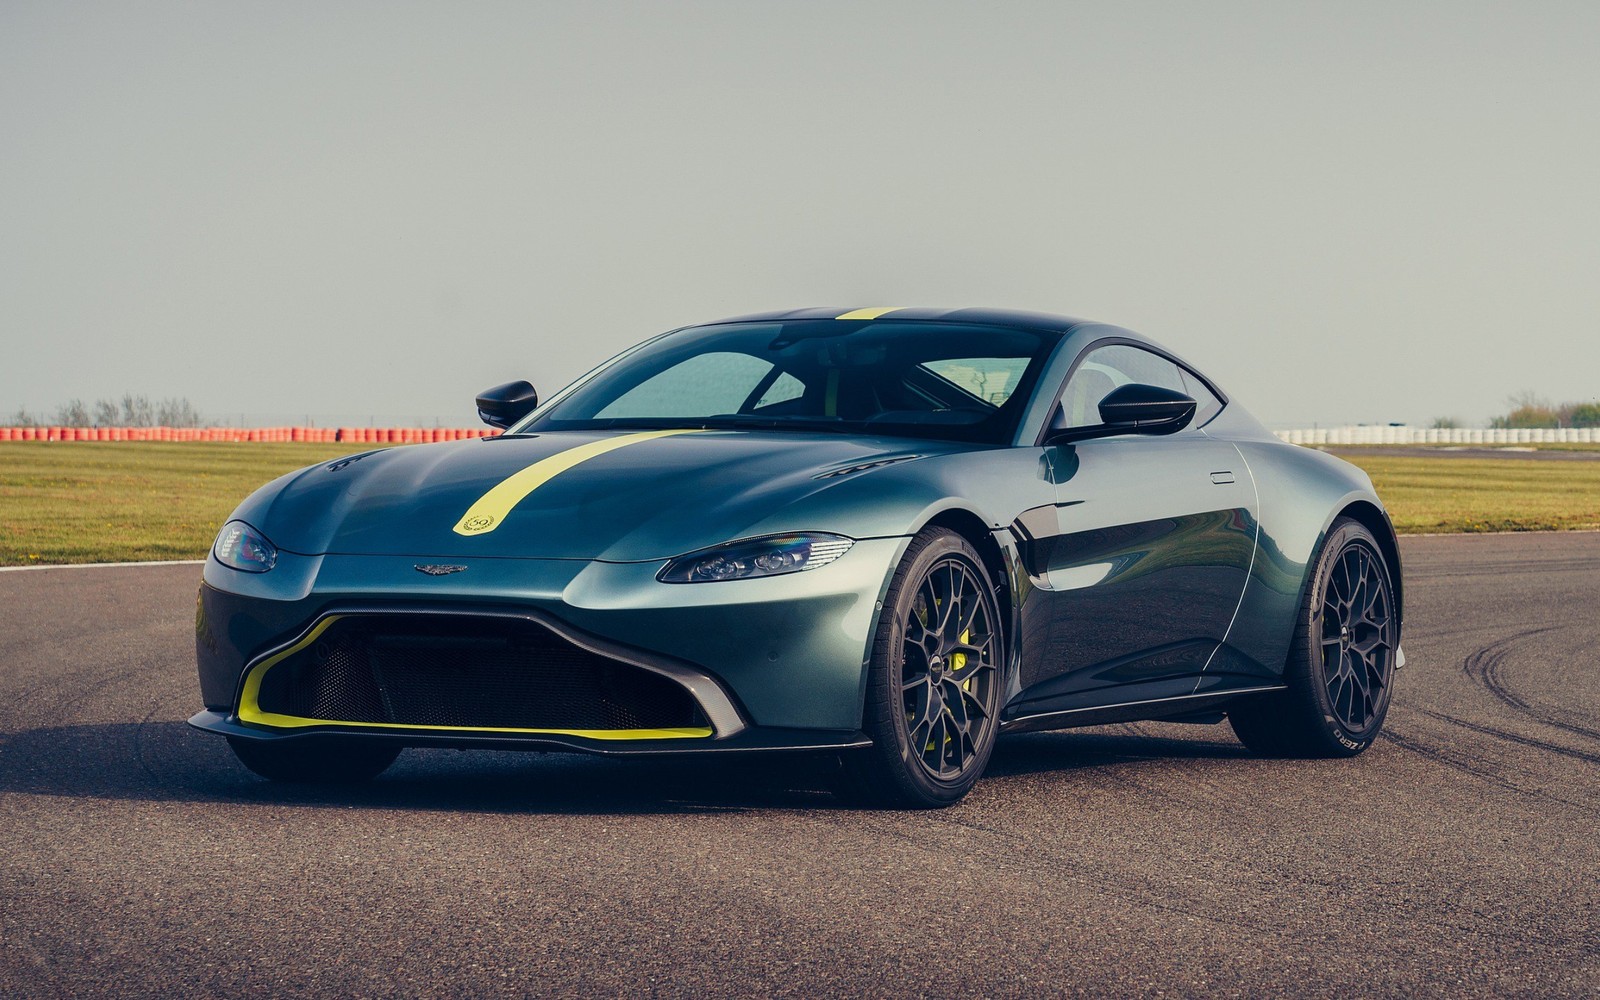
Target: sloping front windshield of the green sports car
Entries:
(953, 382)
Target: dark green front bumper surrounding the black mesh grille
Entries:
(775, 663)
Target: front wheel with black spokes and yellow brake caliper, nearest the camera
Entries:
(934, 684)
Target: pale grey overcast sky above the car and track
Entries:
(1345, 212)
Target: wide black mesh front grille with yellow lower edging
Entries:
(470, 673)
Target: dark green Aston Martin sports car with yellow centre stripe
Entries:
(884, 535)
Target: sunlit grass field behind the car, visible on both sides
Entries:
(79, 503)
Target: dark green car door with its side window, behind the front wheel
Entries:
(1150, 550)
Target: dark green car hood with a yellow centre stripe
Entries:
(625, 497)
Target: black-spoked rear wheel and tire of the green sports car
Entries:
(1342, 665)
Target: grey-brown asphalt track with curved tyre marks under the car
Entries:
(1458, 857)
